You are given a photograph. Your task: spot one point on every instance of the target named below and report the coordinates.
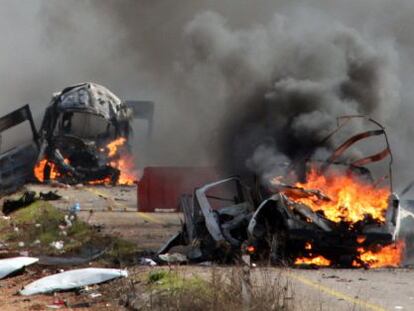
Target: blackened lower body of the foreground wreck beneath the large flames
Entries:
(280, 230)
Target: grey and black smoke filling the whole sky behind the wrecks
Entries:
(239, 83)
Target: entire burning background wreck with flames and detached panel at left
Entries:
(83, 139)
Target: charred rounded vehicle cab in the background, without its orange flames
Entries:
(79, 122)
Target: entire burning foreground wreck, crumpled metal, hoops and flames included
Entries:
(337, 214)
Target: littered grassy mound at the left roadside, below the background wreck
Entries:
(42, 229)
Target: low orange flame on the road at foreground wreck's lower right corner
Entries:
(387, 256)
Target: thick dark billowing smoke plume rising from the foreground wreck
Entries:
(286, 82)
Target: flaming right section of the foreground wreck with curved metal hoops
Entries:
(287, 226)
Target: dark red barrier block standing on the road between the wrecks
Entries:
(160, 188)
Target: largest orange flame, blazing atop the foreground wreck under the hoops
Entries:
(350, 198)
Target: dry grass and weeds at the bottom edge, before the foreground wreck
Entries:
(219, 289)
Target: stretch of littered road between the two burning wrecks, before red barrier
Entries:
(115, 209)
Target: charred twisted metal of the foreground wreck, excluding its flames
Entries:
(278, 229)
